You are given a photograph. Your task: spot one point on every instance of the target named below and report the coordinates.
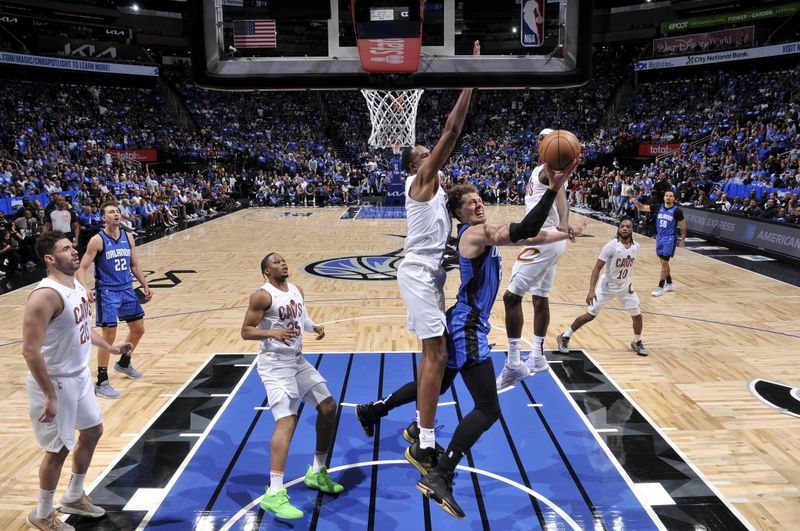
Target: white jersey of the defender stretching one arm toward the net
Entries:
(429, 226)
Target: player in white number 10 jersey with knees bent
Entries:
(616, 262)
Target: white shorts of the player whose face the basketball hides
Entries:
(535, 269)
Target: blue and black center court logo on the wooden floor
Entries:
(369, 267)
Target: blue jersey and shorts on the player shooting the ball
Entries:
(468, 320)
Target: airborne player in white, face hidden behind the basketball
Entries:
(533, 273)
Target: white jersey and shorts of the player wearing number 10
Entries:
(617, 279)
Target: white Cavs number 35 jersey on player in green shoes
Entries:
(286, 311)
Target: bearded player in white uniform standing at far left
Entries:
(57, 337)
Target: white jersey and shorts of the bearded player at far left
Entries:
(66, 349)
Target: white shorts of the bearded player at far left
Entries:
(76, 409)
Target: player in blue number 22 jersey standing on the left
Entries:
(113, 253)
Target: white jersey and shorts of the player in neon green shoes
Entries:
(287, 376)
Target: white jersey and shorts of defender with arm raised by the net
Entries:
(420, 275)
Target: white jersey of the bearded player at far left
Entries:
(67, 344)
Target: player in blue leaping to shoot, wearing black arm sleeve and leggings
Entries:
(468, 328)
